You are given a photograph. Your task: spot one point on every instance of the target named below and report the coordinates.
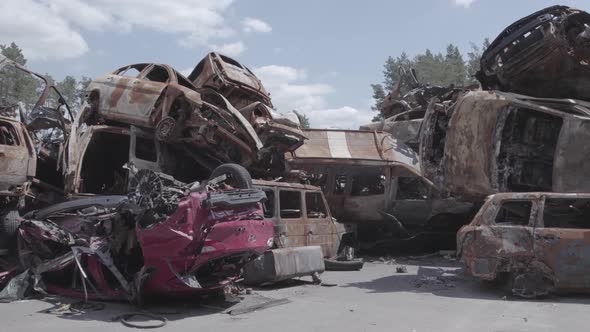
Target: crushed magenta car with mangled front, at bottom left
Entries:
(187, 239)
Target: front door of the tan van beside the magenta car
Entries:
(319, 227)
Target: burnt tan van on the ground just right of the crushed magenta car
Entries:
(301, 217)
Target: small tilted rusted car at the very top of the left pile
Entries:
(230, 78)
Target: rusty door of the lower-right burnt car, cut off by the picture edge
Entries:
(562, 240)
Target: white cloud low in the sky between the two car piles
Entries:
(290, 90)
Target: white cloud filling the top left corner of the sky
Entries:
(39, 33)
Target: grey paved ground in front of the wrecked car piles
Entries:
(433, 295)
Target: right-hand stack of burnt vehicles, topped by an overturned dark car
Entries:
(525, 134)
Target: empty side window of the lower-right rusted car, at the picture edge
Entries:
(567, 213)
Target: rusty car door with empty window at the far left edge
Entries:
(17, 163)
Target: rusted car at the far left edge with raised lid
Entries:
(34, 122)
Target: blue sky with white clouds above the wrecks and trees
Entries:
(318, 57)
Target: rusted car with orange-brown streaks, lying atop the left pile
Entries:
(155, 96)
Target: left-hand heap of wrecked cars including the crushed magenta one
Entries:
(149, 194)
